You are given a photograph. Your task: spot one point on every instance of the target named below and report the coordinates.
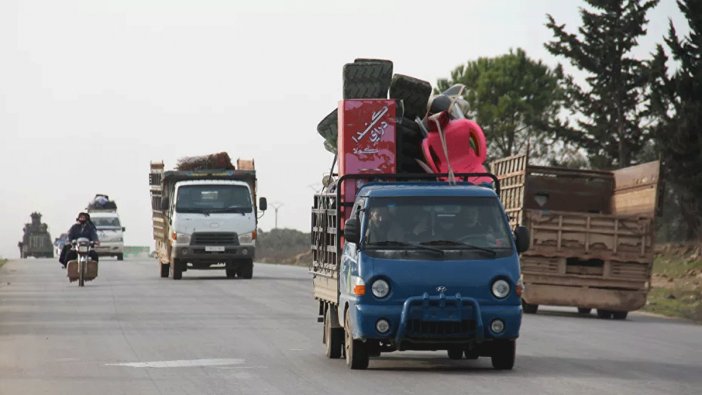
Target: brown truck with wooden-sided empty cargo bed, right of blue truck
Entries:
(592, 234)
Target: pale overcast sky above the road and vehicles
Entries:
(92, 90)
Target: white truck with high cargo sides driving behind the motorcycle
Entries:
(205, 219)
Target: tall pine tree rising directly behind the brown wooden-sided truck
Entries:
(610, 107)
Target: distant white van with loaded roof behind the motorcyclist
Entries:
(103, 213)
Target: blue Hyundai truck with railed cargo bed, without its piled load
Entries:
(416, 263)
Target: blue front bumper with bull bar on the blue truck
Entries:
(435, 321)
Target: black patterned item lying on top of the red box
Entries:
(367, 79)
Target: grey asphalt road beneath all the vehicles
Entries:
(131, 332)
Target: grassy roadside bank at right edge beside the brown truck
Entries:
(677, 282)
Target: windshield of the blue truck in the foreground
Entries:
(446, 223)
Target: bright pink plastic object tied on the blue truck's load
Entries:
(464, 157)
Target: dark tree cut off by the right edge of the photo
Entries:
(676, 102)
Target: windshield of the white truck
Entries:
(208, 199)
